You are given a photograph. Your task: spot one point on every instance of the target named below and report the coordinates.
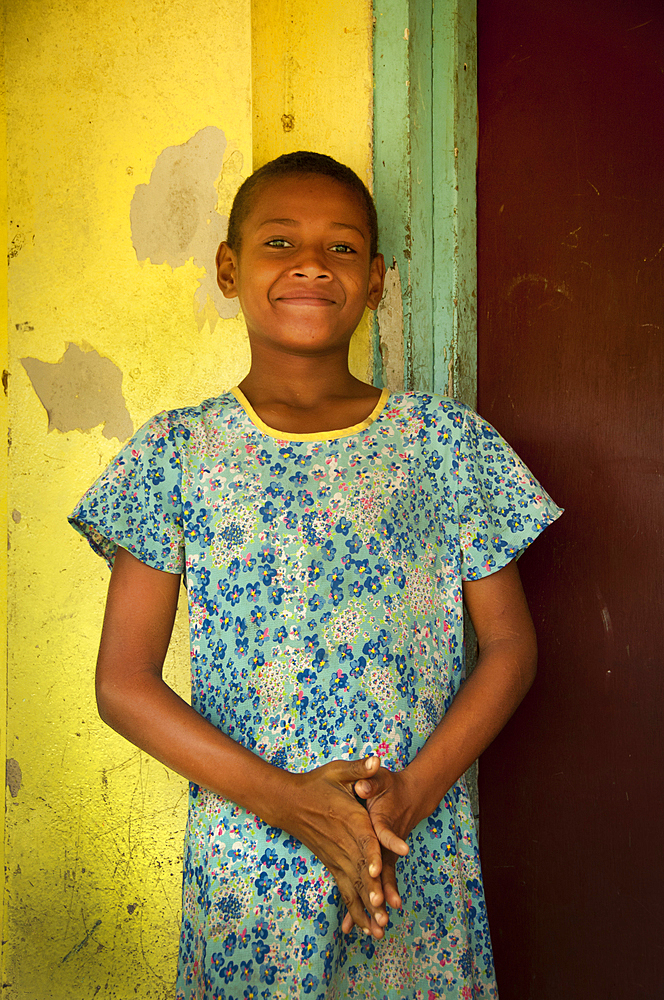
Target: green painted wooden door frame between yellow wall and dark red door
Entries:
(425, 164)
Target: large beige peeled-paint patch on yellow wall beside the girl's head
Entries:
(175, 218)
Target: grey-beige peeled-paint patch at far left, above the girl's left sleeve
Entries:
(81, 391)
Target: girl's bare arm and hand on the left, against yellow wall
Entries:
(318, 807)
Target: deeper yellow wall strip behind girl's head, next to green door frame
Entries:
(312, 87)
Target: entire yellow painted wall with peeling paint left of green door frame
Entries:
(97, 93)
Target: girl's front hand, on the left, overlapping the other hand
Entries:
(325, 815)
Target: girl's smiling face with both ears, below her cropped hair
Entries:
(303, 274)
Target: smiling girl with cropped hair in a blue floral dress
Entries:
(328, 535)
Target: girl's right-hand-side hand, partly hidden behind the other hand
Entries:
(388, 798)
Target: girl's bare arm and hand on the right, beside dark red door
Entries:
(505, 669)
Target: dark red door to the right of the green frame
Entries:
(571, 327)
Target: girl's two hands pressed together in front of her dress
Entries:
(358, 843)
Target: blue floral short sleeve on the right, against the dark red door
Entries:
(501, 506)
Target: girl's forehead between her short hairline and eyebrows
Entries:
(307, 198)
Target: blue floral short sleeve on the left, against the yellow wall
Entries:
(136, 503)
